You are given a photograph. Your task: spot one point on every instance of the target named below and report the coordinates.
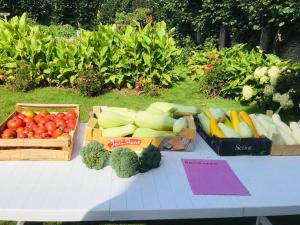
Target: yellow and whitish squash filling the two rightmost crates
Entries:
(215, 122)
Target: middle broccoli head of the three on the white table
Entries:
(124, 161)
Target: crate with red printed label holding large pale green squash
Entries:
(185, 141)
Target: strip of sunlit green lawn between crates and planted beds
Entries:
(186, 93)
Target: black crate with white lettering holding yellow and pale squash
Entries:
(236, 146)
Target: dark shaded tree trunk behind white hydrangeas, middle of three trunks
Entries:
(266, 40)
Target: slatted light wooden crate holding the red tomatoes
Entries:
(38, 149)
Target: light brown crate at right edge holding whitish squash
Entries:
(282, 150)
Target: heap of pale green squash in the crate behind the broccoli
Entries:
(159, 119)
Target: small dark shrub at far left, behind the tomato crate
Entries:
(22, 78)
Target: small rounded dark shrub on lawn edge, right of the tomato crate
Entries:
(89, 83)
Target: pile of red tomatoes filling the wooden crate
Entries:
(29, 124)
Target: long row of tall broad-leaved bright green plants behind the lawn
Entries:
(123, 57)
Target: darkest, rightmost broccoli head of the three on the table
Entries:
(149, 159)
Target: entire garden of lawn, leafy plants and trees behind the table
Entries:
(233, 54)
